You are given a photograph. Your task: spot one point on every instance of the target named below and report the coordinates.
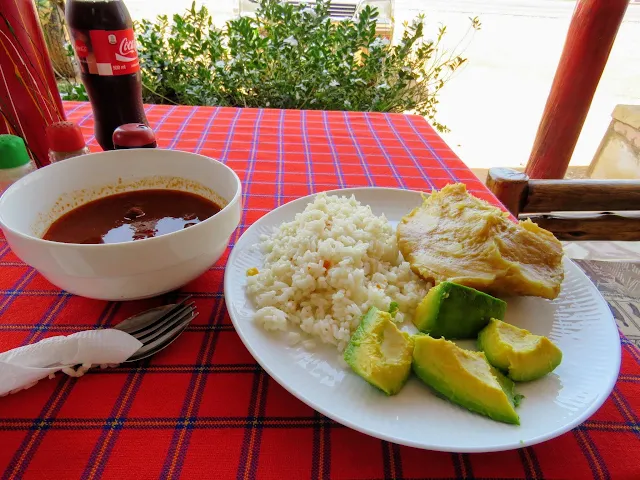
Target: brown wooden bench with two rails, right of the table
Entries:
(571, 209)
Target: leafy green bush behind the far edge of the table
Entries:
(291, 56)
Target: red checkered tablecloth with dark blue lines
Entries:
(203, 408)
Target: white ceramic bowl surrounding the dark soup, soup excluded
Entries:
(129, 270)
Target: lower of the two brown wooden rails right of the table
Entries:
(605, 226)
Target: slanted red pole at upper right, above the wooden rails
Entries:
(591, 35)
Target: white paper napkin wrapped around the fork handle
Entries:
(22, 367)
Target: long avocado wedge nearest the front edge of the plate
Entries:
(465, 378)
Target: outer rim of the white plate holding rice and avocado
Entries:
(578, 420)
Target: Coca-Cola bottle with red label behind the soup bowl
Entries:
(105, 47)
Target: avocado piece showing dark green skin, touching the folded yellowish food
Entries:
(454, 311)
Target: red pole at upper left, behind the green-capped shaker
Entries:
(29, 97)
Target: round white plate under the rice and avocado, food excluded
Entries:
(578, 321)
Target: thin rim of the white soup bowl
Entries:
(127, 244)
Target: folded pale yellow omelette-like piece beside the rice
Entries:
(457, 237)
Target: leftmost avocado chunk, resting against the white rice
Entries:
(379, 352)
